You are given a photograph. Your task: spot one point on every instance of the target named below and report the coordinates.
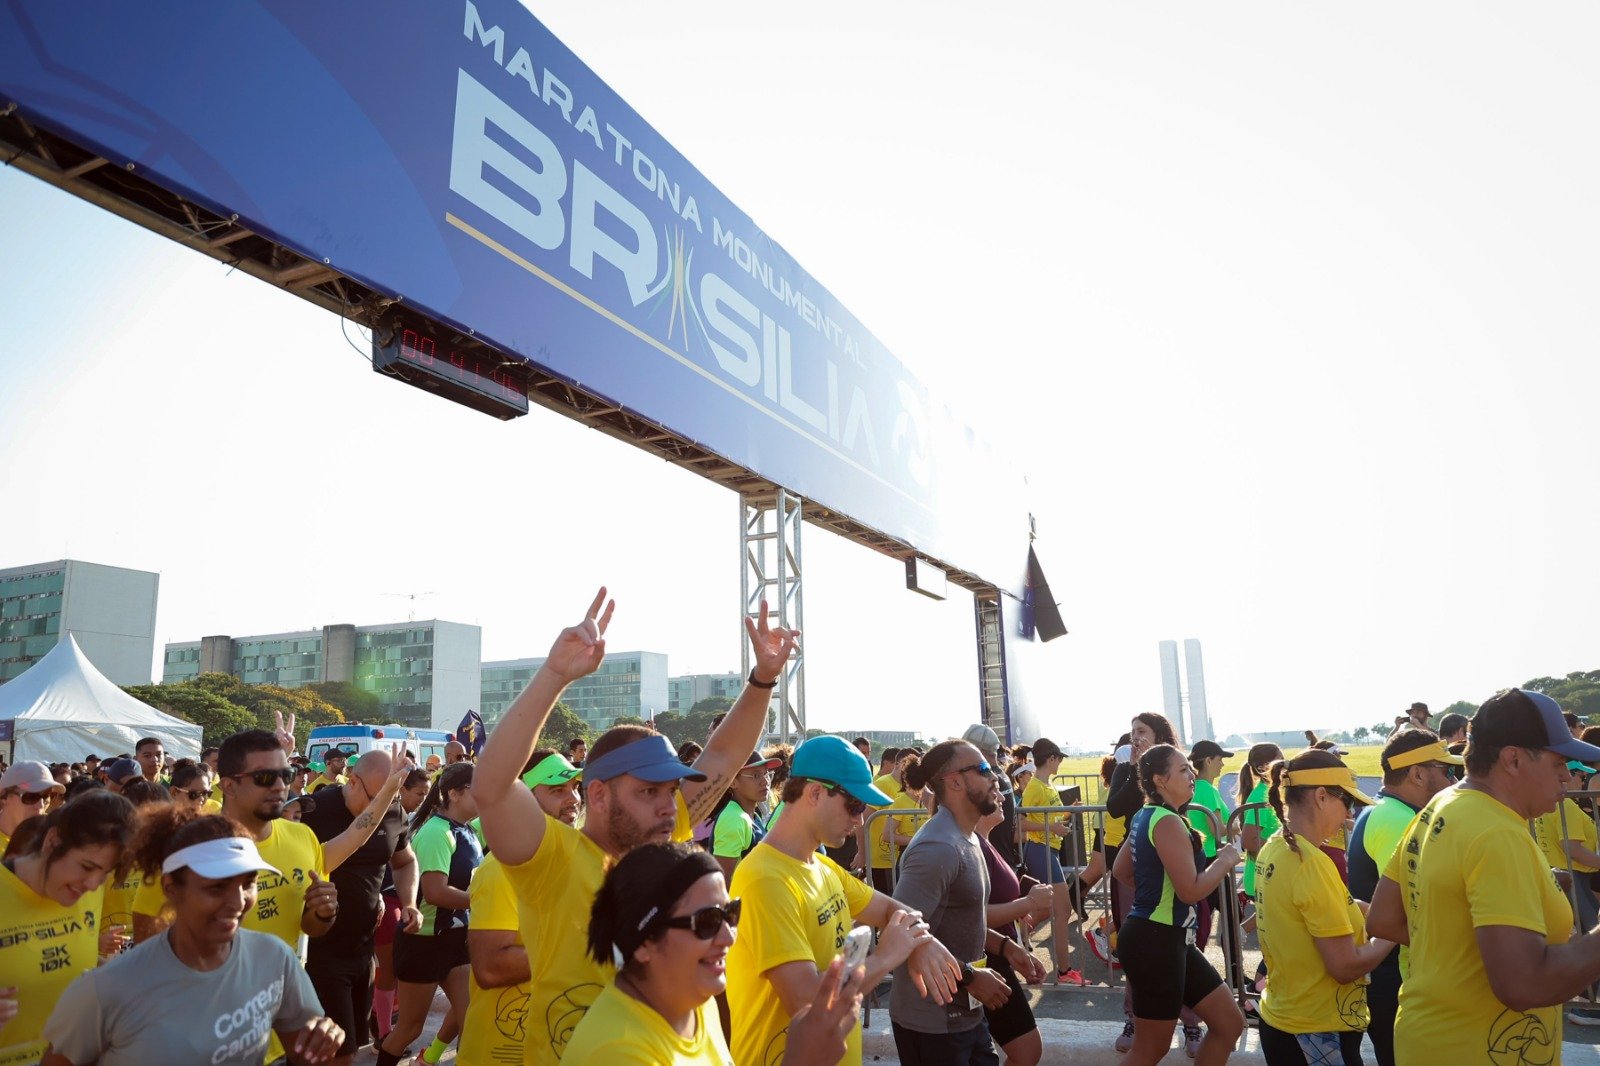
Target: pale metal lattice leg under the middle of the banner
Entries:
(770, 547)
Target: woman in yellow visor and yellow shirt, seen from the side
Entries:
(1313, 934)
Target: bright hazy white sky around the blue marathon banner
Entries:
(1287, 313)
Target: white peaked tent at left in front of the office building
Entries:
(62, 710)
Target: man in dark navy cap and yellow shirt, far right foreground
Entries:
(1494, 955)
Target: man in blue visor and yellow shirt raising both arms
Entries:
(634, 796)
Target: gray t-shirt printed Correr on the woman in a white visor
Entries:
(150, 1008)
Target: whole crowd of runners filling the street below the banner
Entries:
(633, 902)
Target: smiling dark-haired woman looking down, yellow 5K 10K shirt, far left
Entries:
(50, 908)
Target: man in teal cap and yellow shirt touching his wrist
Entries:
(799, 908)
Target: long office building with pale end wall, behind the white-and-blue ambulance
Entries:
(426, 673)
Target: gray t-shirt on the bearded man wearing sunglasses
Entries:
(945, 876)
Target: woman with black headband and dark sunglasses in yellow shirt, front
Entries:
(665, 918)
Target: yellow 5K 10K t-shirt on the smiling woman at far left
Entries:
(44, 947)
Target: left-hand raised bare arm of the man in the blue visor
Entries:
(513, 822)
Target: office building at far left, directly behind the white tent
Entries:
(111, 611)
